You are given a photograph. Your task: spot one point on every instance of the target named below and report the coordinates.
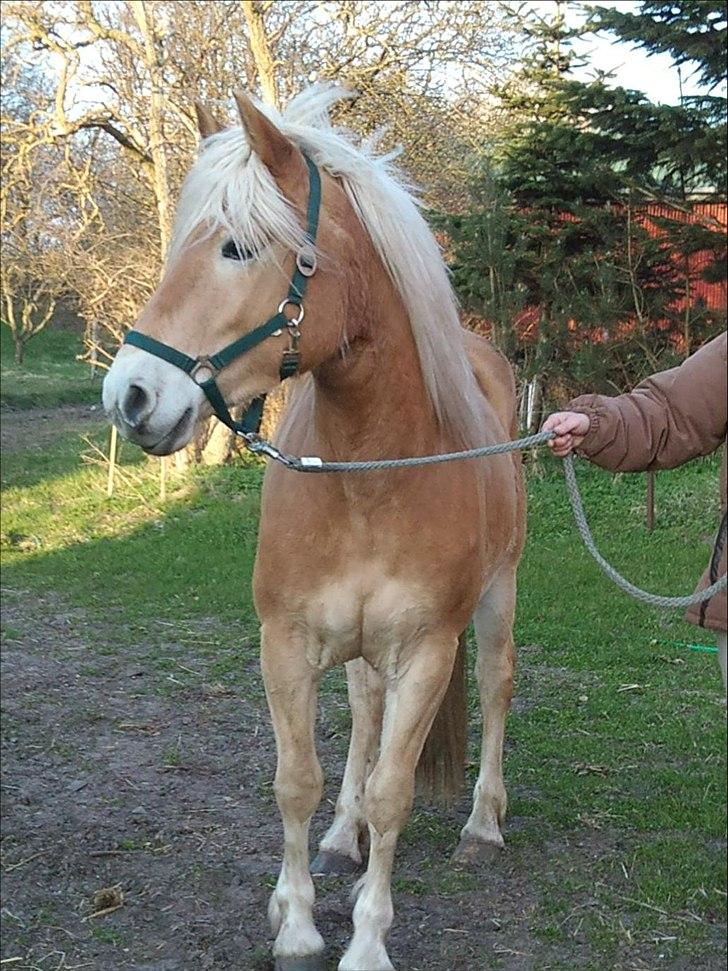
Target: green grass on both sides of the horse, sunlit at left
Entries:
(616, 747)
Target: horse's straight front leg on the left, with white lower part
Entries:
(291, 686)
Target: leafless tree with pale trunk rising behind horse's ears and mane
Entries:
(420, 69)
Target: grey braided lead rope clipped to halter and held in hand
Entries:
(309, 463)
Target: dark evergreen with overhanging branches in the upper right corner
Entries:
(688, 141)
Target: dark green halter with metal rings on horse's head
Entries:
(204, 369)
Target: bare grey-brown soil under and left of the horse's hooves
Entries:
(140, 831)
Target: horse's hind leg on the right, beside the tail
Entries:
(481, 838)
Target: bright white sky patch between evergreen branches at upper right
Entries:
(656, 76)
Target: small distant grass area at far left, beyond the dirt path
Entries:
(49, 375)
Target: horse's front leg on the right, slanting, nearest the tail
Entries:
(413, 695)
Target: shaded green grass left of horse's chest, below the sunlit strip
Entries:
(193, 558)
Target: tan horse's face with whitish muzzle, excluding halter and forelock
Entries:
(213, 292)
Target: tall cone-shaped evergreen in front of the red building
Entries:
(589, 264)
